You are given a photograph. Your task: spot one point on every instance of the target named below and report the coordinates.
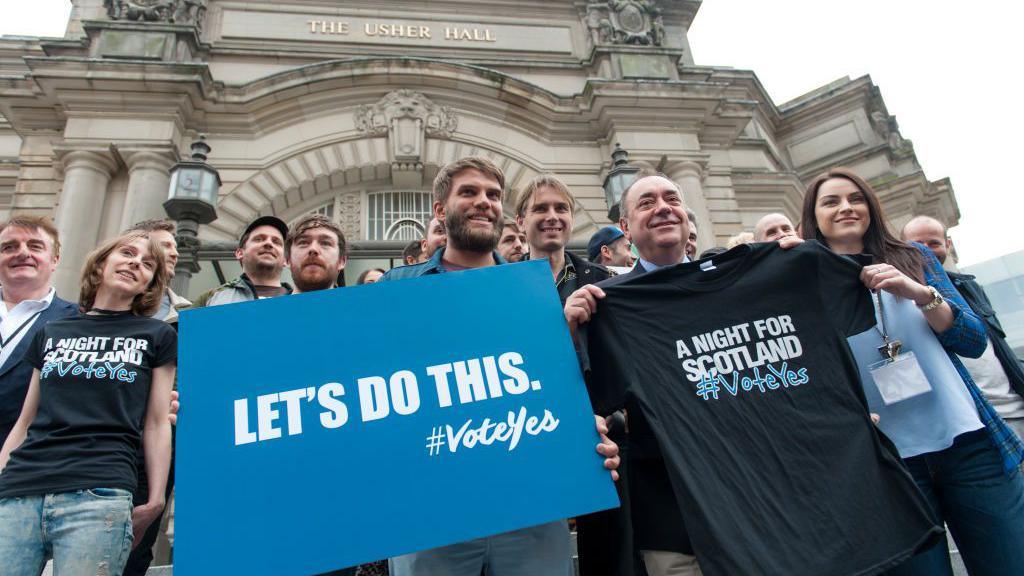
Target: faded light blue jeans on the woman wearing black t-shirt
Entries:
(87, 532)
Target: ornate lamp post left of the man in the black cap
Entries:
(192, 201)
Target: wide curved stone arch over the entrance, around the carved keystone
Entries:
(303, 159)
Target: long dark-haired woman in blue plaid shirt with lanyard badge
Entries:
(963, 458)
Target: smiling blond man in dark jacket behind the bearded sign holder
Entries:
(545, 214)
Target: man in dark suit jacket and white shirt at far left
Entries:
(30, 251)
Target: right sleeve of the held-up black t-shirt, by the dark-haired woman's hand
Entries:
(847, 302)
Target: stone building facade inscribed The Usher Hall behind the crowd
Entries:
(349, 109)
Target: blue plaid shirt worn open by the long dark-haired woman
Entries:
(968, 338)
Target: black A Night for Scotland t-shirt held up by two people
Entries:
(745, 377)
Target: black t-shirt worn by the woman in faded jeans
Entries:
(96, 373)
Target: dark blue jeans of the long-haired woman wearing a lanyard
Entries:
(983, 507)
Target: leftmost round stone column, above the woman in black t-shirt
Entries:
(79, 214)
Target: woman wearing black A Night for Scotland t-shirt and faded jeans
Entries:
(68, 469)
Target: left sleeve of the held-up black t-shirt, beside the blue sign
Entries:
(603, 372)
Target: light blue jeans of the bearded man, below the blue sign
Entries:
(539, 551)
